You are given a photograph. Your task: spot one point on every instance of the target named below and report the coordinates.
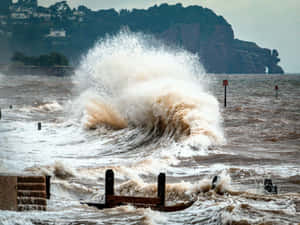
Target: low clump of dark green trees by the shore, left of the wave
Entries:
(52, 59)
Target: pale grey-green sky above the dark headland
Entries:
(273, 24)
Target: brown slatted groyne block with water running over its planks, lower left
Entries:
(21, 193)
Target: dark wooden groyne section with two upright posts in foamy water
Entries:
(156, 203)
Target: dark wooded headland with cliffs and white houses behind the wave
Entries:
(194, 28)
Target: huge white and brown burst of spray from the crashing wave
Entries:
(135, 81)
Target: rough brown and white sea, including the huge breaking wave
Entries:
(141, 110)
